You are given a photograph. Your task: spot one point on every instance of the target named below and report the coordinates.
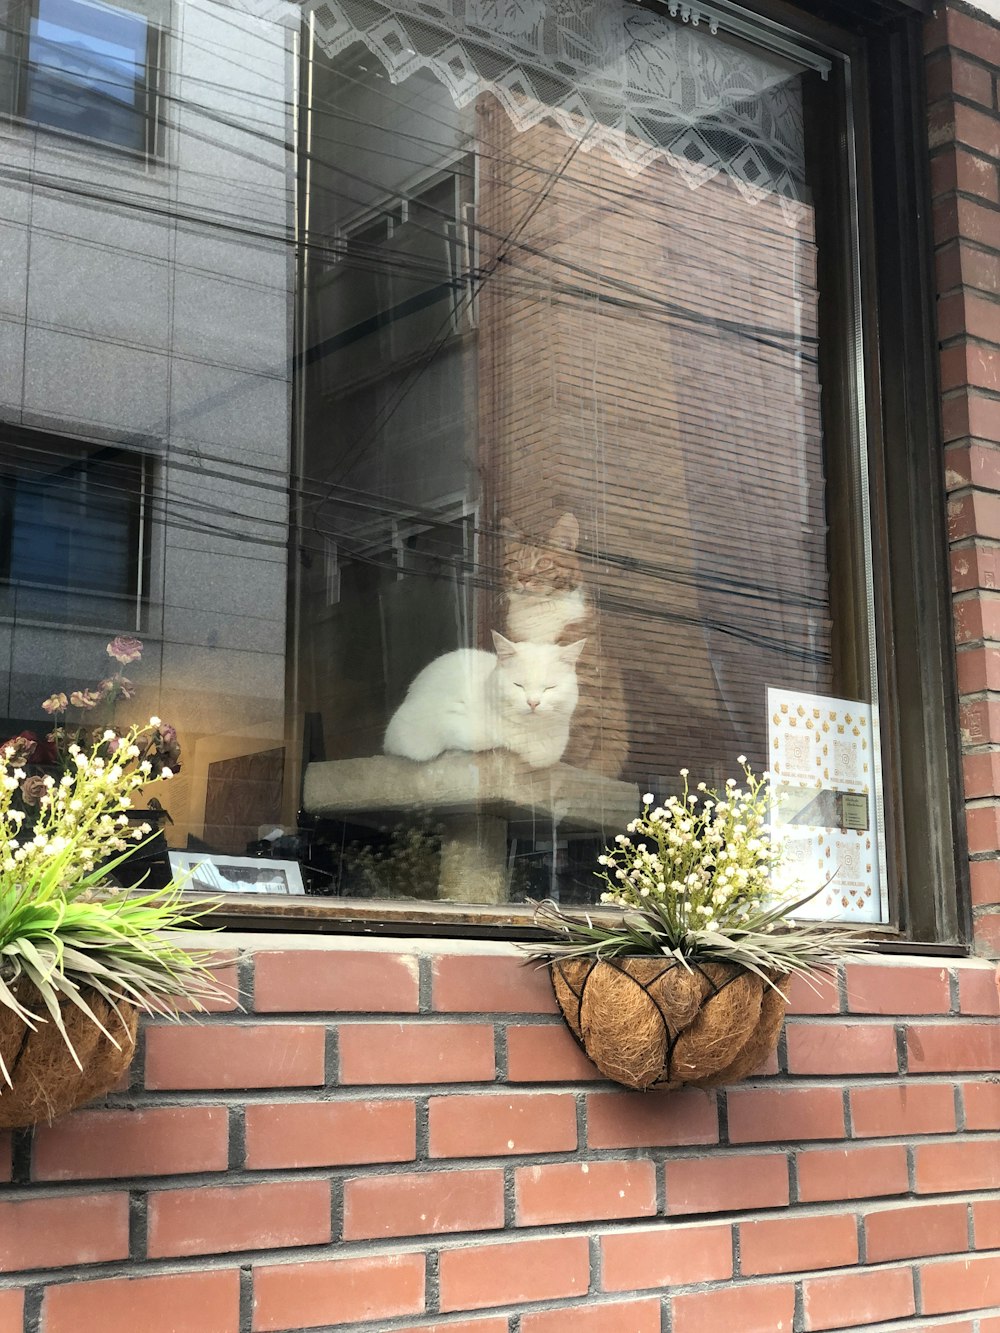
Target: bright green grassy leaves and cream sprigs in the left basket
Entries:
(65, 927)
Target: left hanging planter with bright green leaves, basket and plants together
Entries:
(79, 956)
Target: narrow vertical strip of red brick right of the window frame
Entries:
(963, 69)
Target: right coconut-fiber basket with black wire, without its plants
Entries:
(650, 1023)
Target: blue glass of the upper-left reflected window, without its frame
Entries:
(86, 70)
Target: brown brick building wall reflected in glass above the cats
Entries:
(679, 449)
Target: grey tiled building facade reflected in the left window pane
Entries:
(146, 371)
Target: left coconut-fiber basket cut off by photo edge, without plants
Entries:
(47, 1082)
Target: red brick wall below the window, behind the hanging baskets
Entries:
(398, 1140)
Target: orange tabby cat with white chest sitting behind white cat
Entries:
(547, 602)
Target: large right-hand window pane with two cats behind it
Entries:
(570, 285)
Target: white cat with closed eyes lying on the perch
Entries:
(521, 699)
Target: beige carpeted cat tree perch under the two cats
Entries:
(479, 799)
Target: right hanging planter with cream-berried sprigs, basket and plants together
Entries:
(689, 984)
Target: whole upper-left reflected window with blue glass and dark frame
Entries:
(86, 67)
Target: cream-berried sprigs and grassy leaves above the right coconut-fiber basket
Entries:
(693, 880)
